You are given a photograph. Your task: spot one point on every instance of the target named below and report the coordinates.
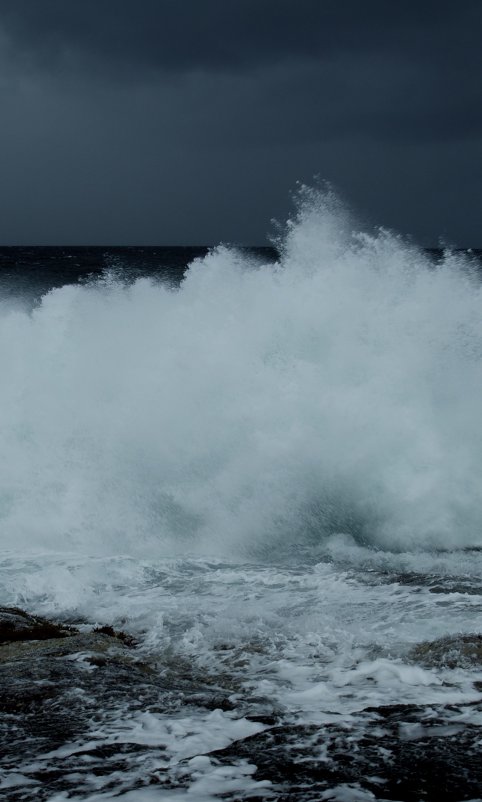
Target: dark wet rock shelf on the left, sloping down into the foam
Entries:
(67, 689)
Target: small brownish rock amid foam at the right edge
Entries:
(457, 651)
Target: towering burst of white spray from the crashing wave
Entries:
(257, 406)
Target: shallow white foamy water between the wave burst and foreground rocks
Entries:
(248, 648)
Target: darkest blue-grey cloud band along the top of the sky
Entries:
(143, 35)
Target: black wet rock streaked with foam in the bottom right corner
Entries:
(397, 752)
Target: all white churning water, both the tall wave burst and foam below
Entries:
(270, 473)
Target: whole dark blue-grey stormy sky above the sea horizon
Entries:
(190, 121)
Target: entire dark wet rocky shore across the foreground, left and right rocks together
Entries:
(60, 685)
